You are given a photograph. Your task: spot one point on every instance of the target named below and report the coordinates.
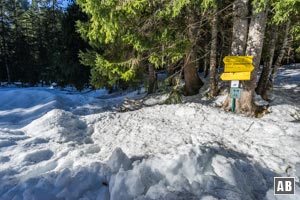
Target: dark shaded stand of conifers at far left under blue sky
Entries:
(39, 43)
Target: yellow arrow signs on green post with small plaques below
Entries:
(237, 68)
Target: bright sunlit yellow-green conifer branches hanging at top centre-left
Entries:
(127, 34)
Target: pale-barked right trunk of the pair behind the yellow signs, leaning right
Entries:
(254, 48)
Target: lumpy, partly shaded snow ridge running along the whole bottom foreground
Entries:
(203, 172)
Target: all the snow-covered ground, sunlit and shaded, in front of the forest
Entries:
(65, 145)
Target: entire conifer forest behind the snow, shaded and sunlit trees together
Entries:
(127, 43)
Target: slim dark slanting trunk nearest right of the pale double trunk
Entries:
(263, 80)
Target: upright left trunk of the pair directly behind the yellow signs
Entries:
(239, 35)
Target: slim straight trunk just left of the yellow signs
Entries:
(213, 54)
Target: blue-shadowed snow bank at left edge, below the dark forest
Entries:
(20, 106)
